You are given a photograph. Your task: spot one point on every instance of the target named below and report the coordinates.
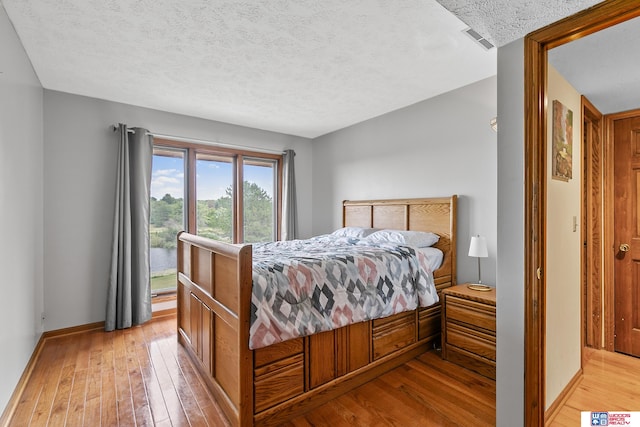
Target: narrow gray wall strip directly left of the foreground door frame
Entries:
(510, 266)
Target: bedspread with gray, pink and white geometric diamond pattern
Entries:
(301, 287)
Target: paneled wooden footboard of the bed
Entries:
(214, 297)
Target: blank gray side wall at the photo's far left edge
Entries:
(20, 208)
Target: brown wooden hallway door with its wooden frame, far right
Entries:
(612, 158)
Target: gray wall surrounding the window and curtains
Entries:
(79, 176)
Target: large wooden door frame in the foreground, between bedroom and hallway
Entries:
(536, 45)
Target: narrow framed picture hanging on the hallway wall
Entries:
(562, 148)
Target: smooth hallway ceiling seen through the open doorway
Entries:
(605, 66)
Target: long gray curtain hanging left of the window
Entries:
(129, 297)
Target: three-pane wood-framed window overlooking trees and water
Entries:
(194, 188)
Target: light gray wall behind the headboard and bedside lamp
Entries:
(437, 147)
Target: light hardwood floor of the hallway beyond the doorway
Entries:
(610, 382)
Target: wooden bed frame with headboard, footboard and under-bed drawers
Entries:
(269, 385)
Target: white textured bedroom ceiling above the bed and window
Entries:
(302, 67)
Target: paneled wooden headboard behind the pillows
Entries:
(437, 215)
